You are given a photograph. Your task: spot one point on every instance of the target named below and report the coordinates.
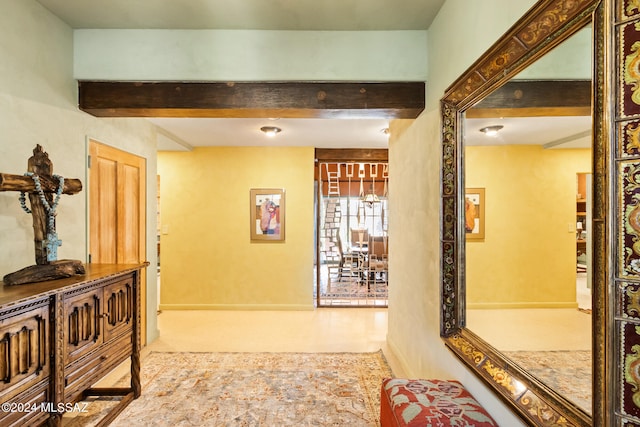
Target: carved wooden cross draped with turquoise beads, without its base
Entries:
(40, 184)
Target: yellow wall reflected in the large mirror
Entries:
(528, 256)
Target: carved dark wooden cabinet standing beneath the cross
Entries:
(58, 338)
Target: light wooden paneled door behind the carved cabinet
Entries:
(117, 211)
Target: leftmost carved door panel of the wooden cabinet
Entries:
(23, 349)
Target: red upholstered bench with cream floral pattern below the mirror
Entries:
(436, 403)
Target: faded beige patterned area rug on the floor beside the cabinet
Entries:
(258, 389)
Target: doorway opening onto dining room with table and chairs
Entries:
(353, 239)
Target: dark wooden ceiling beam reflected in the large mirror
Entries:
(536, 98)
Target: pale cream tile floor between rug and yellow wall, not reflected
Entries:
(319, 330)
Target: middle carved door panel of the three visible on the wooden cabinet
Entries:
(82, 324)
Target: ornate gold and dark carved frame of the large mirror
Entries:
(542, 28)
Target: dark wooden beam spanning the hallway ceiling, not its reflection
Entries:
(395, 100)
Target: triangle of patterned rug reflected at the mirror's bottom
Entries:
(567, 372)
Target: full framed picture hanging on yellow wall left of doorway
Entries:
(267, 214)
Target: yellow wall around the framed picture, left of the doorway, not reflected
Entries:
(207, 258)
